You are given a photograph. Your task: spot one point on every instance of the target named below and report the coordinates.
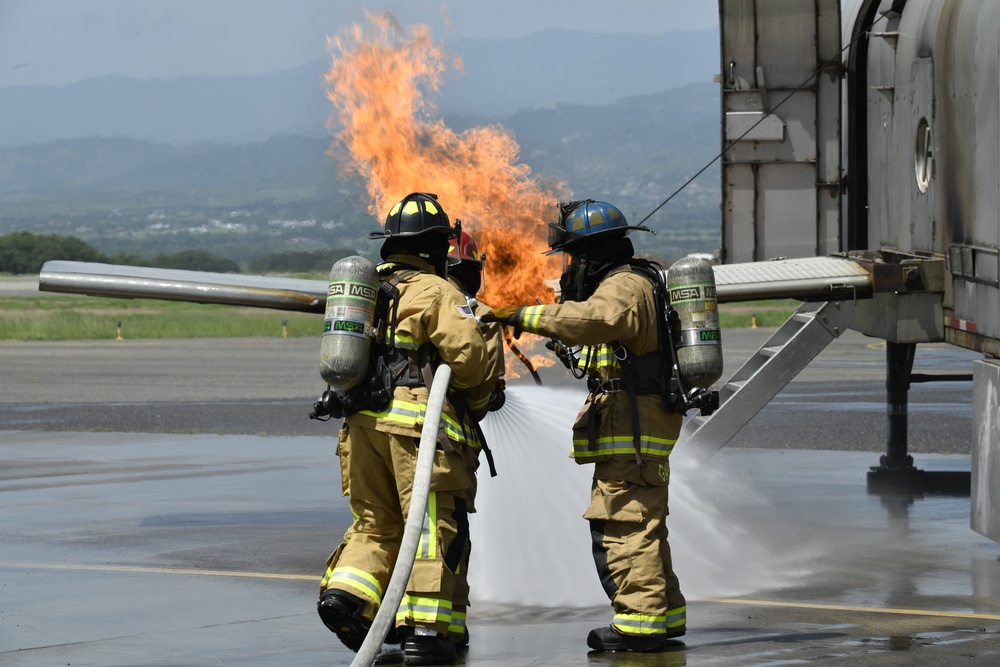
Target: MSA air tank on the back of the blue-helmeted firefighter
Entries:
(691, 286)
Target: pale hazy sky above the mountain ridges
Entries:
(55, 42)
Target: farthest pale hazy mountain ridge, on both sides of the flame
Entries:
(501, 77)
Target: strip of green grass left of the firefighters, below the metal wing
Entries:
(67, 317)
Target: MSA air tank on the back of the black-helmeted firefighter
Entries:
(347, 327)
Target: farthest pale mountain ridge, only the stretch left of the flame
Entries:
(188, 109)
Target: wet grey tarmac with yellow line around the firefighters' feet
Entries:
(126, 546)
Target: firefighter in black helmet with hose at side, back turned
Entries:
(433, 324)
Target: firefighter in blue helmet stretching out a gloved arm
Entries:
(607, 305)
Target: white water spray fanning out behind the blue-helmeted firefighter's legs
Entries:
(531, 545)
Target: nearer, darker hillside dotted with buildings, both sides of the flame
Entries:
(282, 194)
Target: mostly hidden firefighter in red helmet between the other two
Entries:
(465, 271)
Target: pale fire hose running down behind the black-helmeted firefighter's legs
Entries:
(386, 615)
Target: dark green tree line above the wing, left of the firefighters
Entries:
(25, 253)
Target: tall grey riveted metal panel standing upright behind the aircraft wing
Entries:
(781, 169)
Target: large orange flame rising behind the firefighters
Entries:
(380, 82)
